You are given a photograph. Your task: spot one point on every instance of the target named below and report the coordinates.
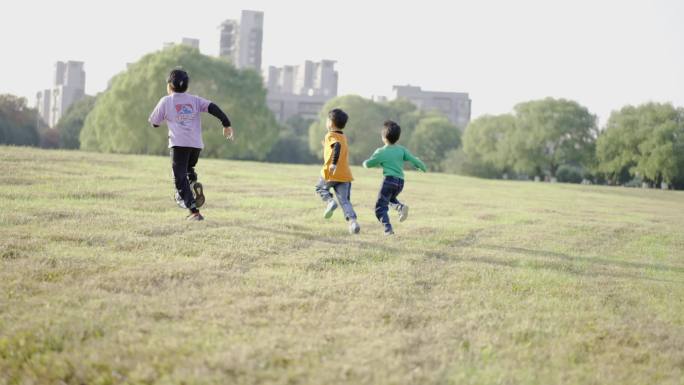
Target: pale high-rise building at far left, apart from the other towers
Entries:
(68, 88)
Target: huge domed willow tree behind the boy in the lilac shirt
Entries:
(118, 122)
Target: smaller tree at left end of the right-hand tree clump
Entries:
(487, 145)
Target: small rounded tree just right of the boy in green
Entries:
(433, 138)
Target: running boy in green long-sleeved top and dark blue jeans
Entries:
(391, 158)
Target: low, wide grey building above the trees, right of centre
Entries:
(455, 105)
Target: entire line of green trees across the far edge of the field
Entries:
(548, 139)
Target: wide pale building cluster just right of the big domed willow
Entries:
(300, 89)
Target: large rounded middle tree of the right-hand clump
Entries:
(552, 132)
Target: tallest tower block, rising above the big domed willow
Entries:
(242, 41)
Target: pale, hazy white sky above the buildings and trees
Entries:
(603, 54)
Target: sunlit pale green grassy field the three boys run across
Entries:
(102, 281)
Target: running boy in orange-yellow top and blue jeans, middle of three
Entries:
(336, 173)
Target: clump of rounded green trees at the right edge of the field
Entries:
(558, 139)
